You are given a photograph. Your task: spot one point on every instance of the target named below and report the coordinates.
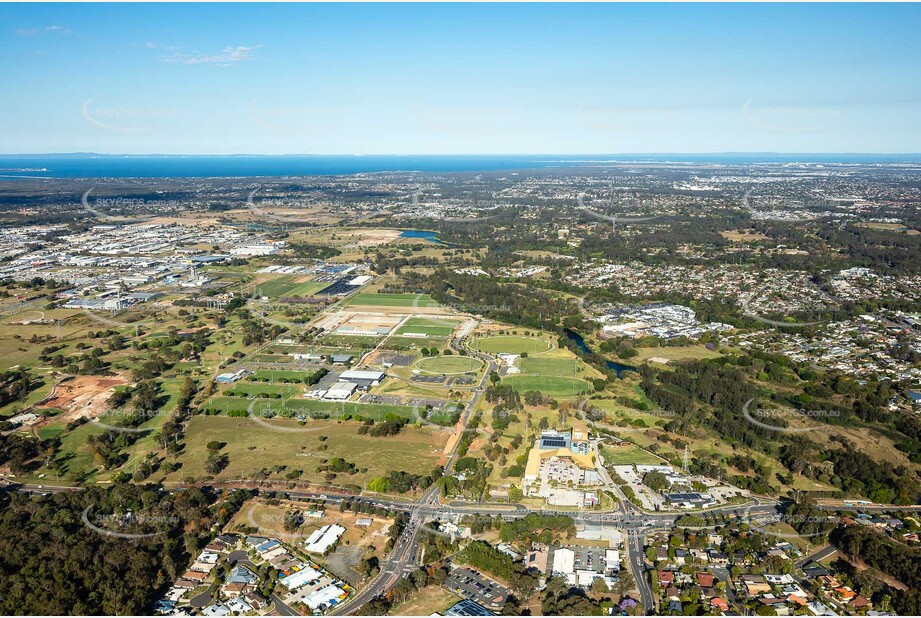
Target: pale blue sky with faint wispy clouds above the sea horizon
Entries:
(459, 78)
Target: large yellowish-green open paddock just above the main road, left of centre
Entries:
(251, 447)
